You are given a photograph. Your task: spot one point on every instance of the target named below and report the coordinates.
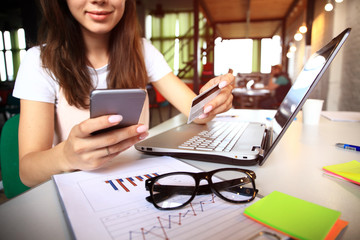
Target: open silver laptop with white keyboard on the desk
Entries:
(244, 143)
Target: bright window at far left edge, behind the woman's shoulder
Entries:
(12, 50)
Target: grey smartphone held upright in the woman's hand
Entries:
(125, 102)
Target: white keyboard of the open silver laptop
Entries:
(222, 137)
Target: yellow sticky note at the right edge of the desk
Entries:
(349, 171)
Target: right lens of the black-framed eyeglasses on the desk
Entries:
(233, 185)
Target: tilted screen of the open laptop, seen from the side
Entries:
(300, 90)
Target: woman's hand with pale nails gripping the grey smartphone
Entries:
(84, 151)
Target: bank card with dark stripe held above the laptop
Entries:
(198, 103)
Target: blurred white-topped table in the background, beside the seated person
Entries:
(249, 98)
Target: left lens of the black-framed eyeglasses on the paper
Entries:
(173, 191)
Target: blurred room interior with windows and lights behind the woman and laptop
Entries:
(201, 39)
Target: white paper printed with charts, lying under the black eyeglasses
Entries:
(112, 205)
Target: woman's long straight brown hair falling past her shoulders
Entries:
(63, 52)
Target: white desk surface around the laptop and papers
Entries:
(294, 167)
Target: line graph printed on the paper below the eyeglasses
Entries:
(208, 217)
